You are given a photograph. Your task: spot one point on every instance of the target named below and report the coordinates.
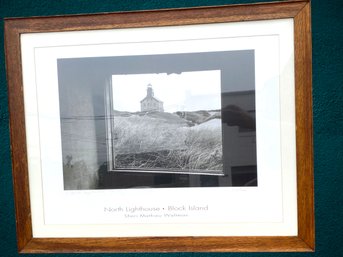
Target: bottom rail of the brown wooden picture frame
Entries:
(168, 244)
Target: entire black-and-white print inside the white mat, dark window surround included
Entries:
(158, 121)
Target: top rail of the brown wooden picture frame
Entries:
(167, 17)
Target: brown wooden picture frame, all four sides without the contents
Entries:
(298, 11)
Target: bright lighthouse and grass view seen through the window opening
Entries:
(168, 122)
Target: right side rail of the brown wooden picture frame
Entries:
(304, 130)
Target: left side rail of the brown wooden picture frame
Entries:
(18, 136)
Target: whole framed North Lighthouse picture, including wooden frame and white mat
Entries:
(162, 131)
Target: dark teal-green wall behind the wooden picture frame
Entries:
(327, 31)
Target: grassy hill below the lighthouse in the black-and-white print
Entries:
(183, 140)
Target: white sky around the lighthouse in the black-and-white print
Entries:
(187, 91)
